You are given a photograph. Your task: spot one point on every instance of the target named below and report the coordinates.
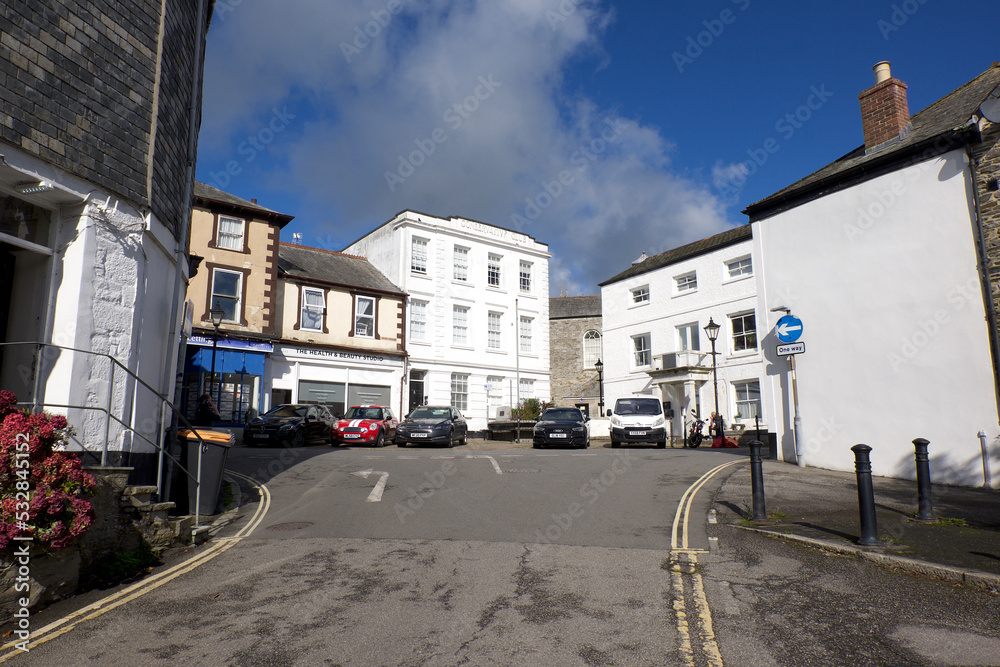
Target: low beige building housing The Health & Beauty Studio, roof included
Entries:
(342, 333)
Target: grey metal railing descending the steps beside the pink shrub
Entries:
(37, 405)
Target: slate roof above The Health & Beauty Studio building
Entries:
(332, 268)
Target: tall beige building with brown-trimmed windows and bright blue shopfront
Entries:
(236, 242)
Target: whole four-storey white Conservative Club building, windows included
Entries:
(477, 312)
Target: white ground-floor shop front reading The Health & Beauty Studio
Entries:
(337, 379)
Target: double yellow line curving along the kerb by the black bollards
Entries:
(684, 561)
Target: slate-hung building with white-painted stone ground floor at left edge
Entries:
(98, 138)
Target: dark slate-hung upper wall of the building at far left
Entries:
(79, 86)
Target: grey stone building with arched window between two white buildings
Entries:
(575, 346)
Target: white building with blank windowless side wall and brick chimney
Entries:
(879, 255)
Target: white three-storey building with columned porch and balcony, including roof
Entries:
(655, 313)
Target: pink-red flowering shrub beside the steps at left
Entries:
(47, 497)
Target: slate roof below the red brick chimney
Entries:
(944, 125)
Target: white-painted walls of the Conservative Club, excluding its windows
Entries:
(388, 248)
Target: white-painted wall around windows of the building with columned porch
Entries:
(717, 297)
